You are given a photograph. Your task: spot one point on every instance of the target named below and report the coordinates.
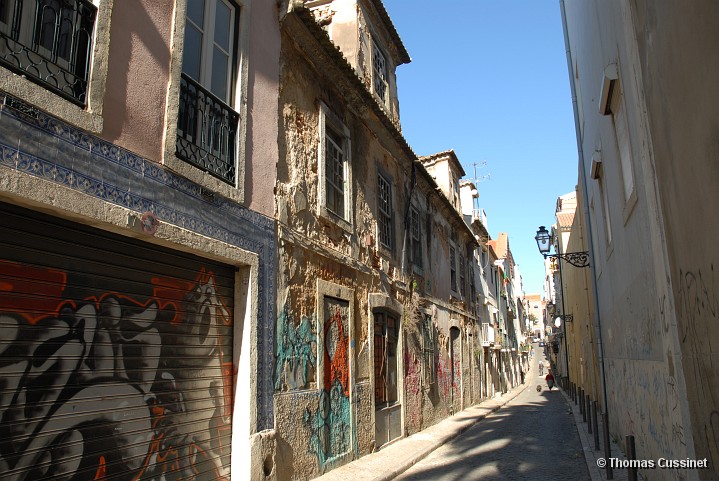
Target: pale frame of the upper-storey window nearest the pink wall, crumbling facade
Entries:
(328, 120)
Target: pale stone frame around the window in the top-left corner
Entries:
(88, 118)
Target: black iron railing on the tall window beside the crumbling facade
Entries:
(206, 131)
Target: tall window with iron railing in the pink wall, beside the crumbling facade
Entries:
(207, 125)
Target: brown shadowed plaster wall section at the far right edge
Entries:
(684, 127)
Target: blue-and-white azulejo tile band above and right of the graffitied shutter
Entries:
(70, 157)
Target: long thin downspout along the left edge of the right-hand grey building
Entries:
(590, 242)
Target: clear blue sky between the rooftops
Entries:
(488, 78)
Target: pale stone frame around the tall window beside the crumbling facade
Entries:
(235, 192)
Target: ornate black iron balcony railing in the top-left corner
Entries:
(49, 42)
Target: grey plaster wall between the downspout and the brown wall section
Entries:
(644, 375)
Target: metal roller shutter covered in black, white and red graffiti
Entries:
(115, 356)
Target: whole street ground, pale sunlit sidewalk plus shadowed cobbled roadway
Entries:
(522, 435)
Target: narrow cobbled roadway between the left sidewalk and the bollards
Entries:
(533, 437)
